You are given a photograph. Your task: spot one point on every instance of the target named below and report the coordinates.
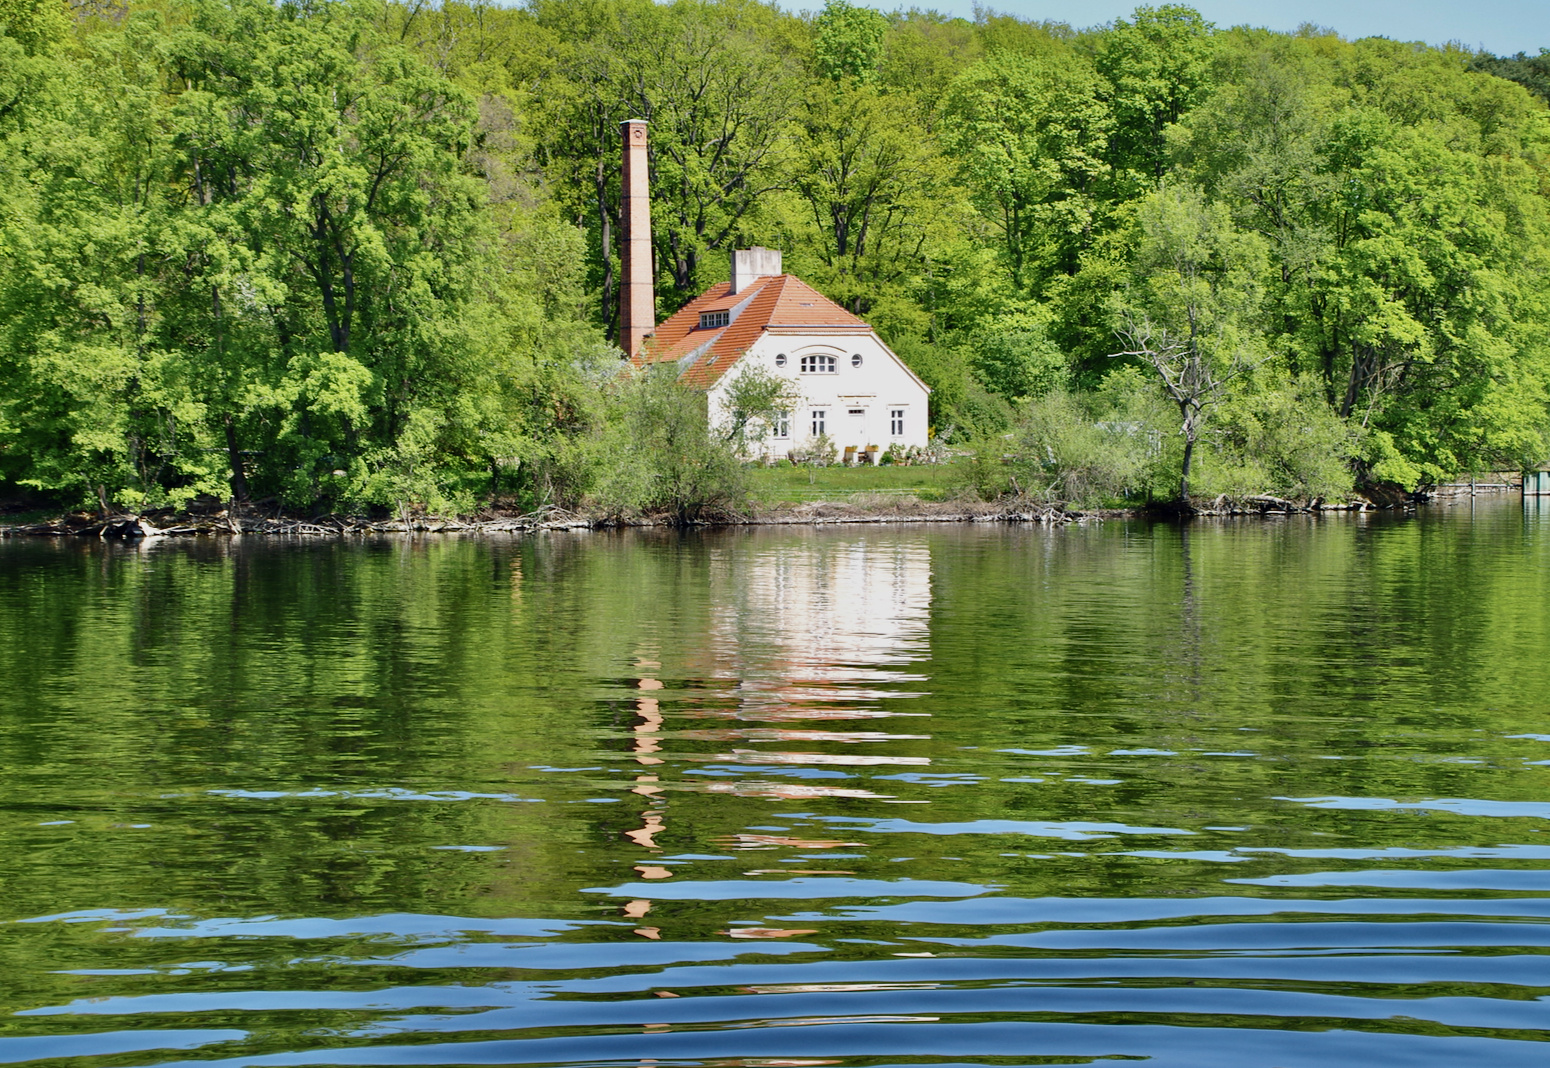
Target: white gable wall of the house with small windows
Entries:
(858, 402)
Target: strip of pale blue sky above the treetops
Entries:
(1498, 26)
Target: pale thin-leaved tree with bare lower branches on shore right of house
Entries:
(1190, 311)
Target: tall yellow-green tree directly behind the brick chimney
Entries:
(717, 81)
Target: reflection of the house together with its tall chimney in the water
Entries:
(802, 630)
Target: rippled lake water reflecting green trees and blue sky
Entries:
(1262, 794)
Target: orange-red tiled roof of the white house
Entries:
(782, 303)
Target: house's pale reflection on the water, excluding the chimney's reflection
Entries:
(811, 629)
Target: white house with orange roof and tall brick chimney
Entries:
(852, 387)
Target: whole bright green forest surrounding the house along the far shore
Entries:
(363, 253)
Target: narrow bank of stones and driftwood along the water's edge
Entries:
(813, 514)
